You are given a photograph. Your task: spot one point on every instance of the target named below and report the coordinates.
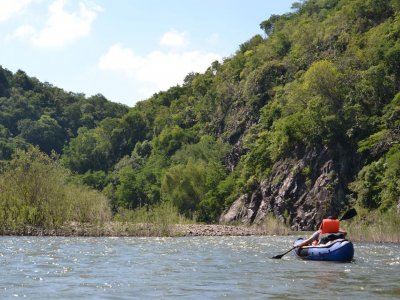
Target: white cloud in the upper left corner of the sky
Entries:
(62, 27)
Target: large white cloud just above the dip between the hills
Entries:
(157, 70)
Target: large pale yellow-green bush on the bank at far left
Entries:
(34, 191)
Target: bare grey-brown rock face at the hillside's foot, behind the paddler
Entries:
(300, 191)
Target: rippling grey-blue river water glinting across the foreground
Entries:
(189, 268)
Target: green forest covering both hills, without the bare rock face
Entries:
(325, 76)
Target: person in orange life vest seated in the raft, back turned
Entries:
(329, 230)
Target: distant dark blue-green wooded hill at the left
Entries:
(32, 112)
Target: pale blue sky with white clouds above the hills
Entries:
(126, 50)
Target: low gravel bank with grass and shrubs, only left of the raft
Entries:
(160, 220)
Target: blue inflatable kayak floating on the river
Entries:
(337, 250)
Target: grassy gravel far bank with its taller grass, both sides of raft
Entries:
(153, 225)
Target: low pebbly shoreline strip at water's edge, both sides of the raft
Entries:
(120, 229)
